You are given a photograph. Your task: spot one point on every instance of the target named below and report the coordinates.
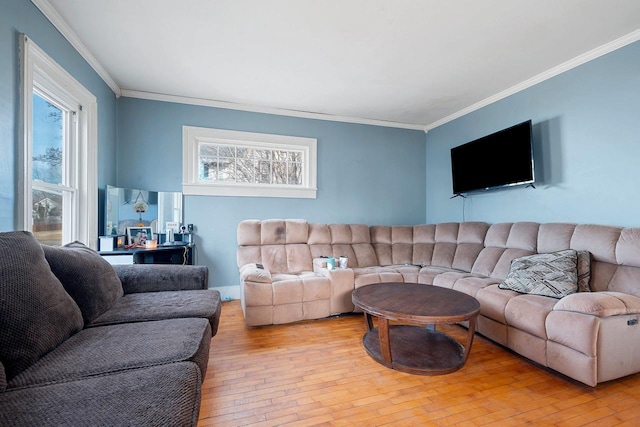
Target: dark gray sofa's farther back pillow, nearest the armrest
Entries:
(90, 280)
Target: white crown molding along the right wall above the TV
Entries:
(579, 60)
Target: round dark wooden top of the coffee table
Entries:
(415, 302)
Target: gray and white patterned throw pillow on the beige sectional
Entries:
(553, 274)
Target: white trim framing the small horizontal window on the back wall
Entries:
(191, 184)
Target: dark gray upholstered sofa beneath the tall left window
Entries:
(84, 343)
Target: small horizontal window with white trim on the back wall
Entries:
(230, 163)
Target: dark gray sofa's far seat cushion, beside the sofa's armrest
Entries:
(148, 306)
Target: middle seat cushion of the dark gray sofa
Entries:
(105, 349)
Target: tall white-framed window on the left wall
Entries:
(58, 178)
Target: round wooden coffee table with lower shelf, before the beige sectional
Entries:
(410, 346)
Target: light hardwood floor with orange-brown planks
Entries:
(316, 373)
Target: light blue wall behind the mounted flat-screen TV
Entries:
(586, 125)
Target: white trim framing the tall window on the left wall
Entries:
(37, 64)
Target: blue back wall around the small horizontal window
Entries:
(366, 174)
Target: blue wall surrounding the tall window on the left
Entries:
(21, 16)
